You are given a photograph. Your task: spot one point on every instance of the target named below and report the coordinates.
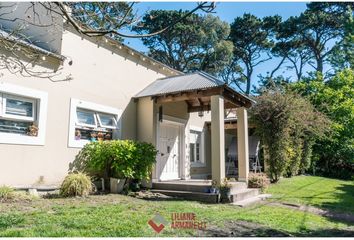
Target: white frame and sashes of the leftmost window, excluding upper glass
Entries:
(40, 99)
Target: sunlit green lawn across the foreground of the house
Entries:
(118, 215)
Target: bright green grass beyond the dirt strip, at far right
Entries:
(325, 193)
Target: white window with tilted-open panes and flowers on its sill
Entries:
(92, 122)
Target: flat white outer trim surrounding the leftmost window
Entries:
(42, 97)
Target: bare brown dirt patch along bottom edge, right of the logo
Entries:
(241, 229)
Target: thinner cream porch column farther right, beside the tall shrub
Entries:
(242, 144)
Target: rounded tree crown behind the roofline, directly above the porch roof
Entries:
(197, 43)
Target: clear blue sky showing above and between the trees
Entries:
(228, 11)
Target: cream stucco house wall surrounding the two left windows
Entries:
(104, 76)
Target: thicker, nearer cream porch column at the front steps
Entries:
(217, 138)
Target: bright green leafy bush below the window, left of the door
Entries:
(116, 158)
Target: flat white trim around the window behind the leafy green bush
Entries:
(76, 103)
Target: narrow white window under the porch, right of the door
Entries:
(196, 149)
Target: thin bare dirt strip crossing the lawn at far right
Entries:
(346, 217)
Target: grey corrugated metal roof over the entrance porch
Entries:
(175, 84)
